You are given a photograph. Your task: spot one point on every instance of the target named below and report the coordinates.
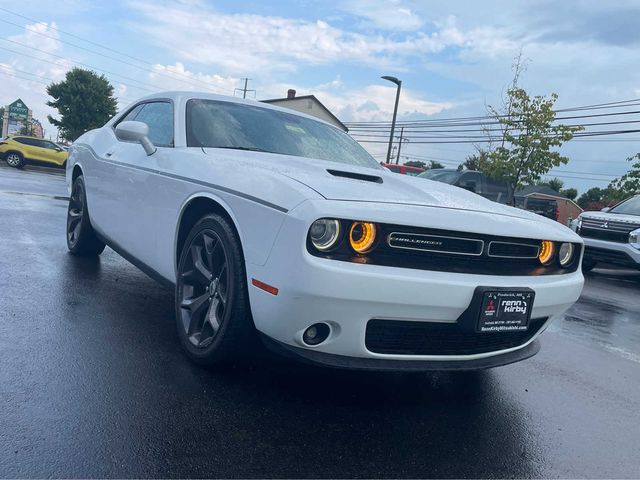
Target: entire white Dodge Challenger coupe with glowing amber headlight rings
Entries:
(273, 224)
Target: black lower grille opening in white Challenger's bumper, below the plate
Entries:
(428, 338)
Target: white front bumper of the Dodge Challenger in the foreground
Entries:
(346, 296)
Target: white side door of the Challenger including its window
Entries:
(135, 186)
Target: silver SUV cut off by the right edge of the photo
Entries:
(611, 236)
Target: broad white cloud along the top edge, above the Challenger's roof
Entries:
(241, 42)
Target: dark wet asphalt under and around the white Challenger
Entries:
(93, 383)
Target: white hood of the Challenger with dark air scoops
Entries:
(351, 184)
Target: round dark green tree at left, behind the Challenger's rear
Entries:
(84, 100)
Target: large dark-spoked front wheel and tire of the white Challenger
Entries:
(213, 317)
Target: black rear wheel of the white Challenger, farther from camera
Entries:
(81, 237)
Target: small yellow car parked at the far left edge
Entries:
(17, 150)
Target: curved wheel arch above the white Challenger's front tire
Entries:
(195, 208)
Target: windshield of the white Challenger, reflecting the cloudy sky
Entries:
(217, 124)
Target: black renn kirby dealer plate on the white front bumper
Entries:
(505, 311)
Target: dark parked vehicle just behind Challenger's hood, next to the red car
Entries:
(473, 181)
